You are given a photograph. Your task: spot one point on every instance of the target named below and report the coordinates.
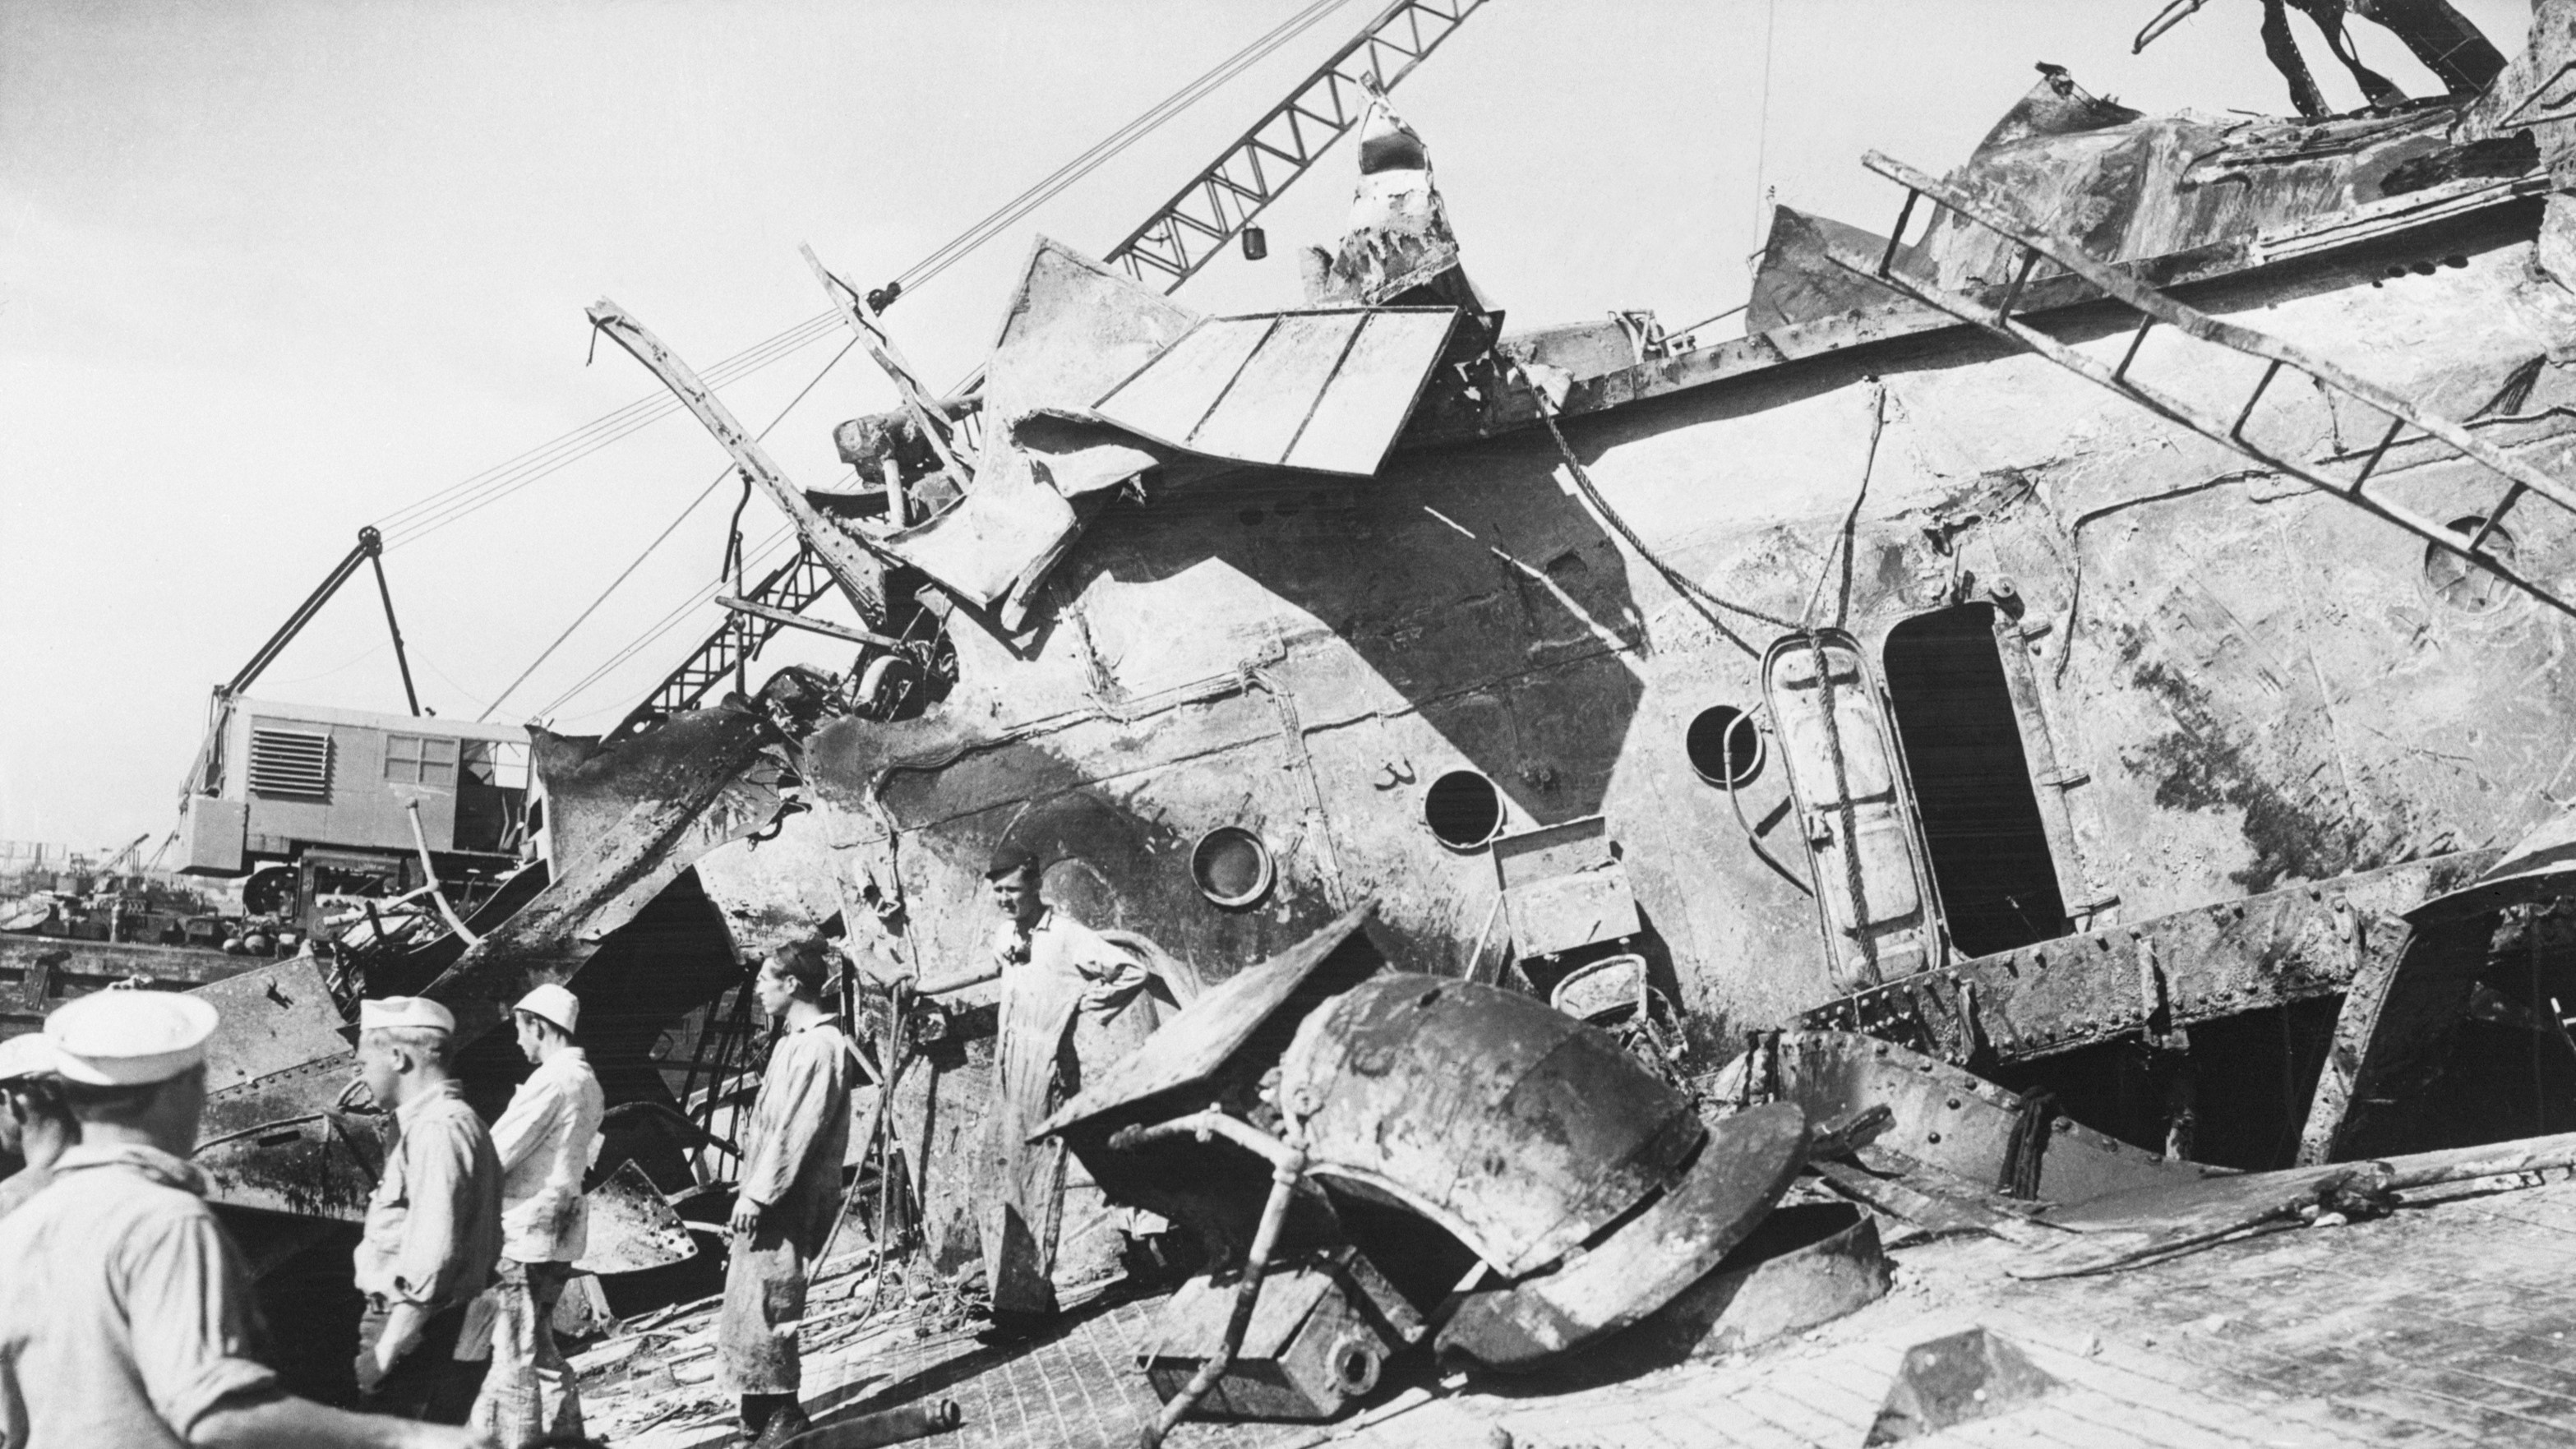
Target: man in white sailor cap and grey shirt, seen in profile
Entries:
(434, 1224)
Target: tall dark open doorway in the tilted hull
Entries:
(1972, 781)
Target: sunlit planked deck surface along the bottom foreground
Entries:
(2446, 1324)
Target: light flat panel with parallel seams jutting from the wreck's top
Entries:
(1297, 390)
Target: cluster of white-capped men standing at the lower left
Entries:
(130, 1319)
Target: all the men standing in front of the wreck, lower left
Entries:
(130, 1322)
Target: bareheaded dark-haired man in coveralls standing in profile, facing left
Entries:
(792, 1157)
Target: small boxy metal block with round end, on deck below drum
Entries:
(1318, 1340)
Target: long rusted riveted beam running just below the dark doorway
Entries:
(2170, 972)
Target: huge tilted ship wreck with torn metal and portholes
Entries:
(2070, 699)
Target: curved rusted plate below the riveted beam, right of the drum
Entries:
(1956, 1121)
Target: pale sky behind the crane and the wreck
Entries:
(279, 269)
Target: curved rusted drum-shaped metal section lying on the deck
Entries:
(1513, 1126)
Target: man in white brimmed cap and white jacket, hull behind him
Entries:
(545, 1144)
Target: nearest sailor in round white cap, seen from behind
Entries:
(128, 1314)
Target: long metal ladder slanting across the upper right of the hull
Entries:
(2155, 308)
